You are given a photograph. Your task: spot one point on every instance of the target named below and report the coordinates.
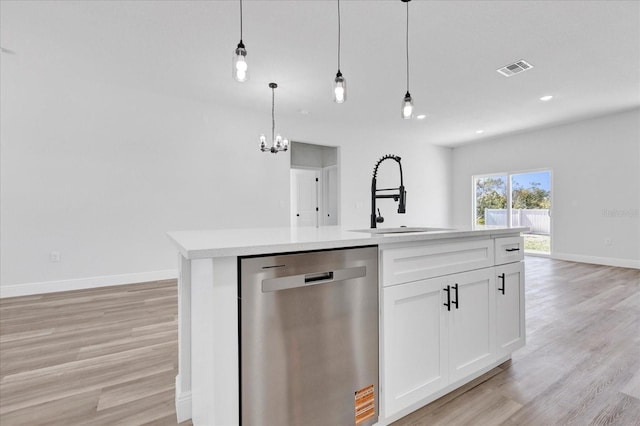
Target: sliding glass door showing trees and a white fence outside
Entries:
(516, 199)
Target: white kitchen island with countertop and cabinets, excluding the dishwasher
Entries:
(451, 308)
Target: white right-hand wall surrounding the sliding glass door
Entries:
(596, 183)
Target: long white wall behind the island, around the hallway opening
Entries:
(100, 173)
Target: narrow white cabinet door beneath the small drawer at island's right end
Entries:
(510, 324)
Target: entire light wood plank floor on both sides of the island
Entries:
(108, 356)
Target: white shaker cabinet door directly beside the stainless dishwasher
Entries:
(415, 348)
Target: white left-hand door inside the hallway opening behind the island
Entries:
(304, 197)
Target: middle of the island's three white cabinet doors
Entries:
(471, 322)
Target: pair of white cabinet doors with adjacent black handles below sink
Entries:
(436, 332)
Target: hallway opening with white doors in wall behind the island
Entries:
(314, 185)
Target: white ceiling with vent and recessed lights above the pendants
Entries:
(585, 53)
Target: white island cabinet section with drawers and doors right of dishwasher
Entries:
(448, 315)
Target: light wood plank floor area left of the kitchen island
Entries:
(104, 356)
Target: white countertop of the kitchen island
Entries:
(200, 244)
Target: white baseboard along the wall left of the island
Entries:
(85, 283)
